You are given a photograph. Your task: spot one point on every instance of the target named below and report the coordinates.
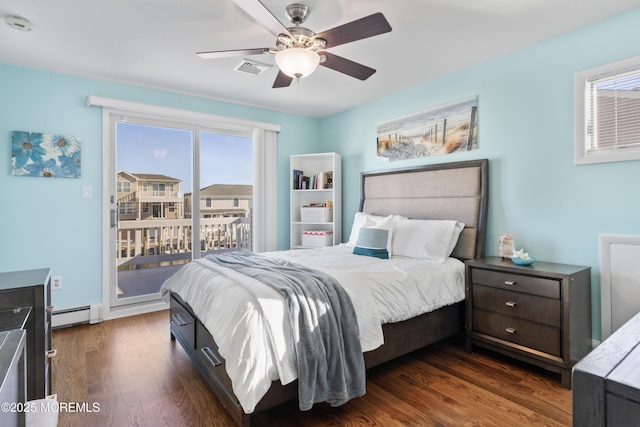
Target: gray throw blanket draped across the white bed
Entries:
(325, 329)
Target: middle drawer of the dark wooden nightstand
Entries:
(518, 304)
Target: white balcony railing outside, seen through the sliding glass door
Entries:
(167, 242)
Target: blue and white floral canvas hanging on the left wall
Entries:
(43, 154)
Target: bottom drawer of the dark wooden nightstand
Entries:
(519, 331)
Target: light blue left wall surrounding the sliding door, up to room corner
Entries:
(45, 222)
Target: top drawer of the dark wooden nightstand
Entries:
(517, 282)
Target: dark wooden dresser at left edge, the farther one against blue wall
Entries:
(32, 288)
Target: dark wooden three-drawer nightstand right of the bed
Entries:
(539, 314)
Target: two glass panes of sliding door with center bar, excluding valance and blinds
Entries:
(180, 192)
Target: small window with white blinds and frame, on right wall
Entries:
(608, 113)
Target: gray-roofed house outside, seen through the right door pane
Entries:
(222, 201)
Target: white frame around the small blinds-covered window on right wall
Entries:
(582, 155)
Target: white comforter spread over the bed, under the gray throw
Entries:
(248, 321)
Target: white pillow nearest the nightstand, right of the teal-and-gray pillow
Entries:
(425, 239)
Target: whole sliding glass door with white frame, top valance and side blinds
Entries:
(177, 185)
